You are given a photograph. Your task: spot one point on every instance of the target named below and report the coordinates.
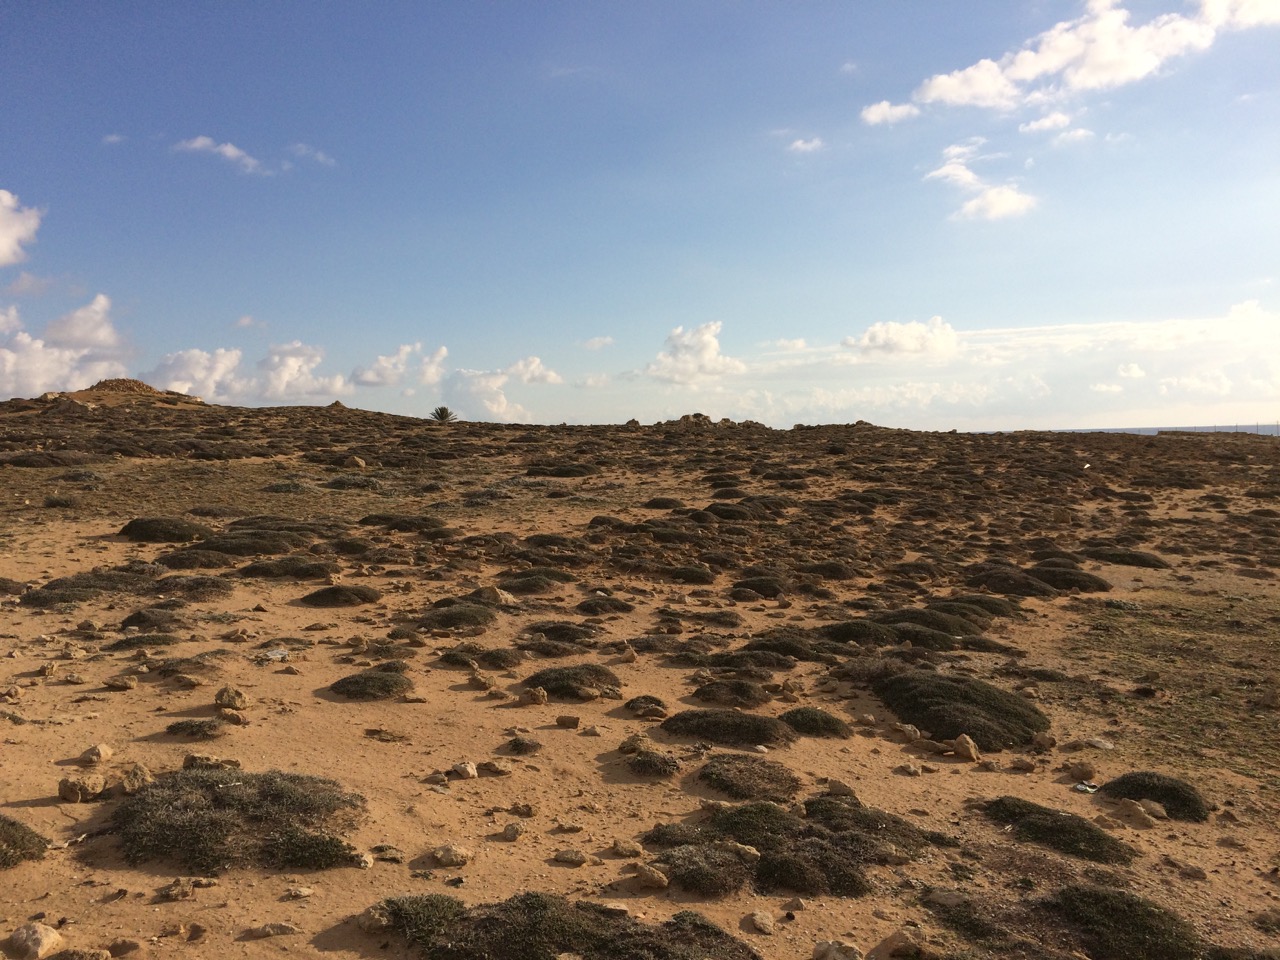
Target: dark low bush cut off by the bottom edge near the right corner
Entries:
(1119, 926)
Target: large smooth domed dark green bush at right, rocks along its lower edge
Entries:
(948, 707)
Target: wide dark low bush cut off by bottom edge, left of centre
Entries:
(545, 927)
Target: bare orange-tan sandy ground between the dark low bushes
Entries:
(1219, 875)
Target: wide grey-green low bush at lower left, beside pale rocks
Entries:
(208, 822)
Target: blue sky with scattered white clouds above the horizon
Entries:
(917, 213)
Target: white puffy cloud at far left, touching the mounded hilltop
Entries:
(75, 353)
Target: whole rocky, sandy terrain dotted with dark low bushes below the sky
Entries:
(322, 683)
